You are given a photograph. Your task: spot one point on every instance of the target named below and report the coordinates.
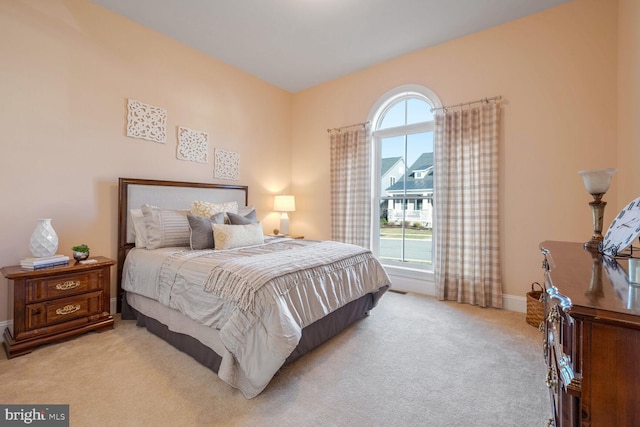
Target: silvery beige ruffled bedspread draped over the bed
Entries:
(260, 297)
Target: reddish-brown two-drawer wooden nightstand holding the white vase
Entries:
(57, 303)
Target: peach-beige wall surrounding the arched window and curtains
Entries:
(557, 74)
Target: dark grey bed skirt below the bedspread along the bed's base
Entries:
(313, 335)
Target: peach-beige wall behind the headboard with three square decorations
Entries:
(67, 69)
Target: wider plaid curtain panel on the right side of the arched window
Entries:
(467, 252)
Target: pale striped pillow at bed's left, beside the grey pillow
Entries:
(165, 227)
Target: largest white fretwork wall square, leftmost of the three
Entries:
(145, 121)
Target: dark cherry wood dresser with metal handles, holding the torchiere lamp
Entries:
(591, 338)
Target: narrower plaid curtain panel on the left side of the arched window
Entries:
(351, 185)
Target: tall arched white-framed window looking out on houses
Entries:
(402, 135)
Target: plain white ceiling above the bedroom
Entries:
(296, 44)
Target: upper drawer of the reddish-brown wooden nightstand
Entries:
(62, 286)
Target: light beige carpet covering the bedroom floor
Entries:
(413, 362)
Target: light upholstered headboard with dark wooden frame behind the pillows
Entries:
(133, 193)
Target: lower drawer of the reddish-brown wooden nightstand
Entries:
(62, 310)
